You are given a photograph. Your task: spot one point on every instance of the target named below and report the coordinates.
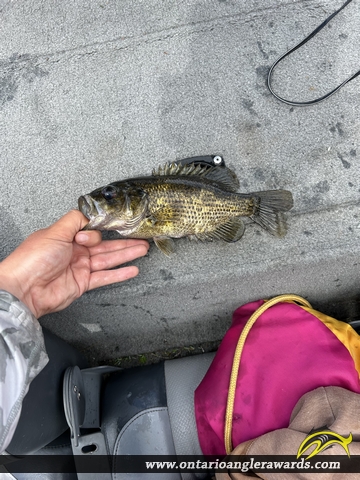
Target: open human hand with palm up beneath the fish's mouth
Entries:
(56, 265)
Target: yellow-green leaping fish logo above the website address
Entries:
(322, 440)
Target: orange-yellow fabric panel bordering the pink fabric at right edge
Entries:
(344, 332)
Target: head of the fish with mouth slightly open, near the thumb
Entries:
(117, 206)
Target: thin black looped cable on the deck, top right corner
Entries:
(312, 34)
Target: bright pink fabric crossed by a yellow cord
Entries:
(288, 353)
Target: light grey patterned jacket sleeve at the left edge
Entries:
(22, 357)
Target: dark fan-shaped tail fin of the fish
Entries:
(268, 212)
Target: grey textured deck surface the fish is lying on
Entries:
(97, 91)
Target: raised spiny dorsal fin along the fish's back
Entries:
(225, 177)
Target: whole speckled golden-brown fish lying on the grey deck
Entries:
(193, 200)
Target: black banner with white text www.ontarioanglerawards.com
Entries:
(185, 464)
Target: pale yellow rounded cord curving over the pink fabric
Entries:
(237, 358)
